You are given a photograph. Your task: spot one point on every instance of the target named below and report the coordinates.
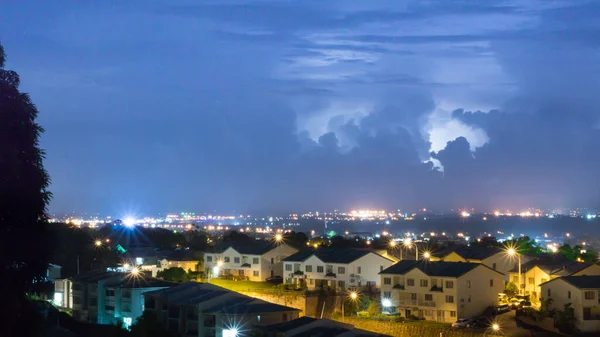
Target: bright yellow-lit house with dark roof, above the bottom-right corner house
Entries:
(546, 268)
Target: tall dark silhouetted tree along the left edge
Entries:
(23, 199)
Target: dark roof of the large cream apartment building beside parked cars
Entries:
(439, 268)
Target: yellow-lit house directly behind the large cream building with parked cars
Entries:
(493, 257)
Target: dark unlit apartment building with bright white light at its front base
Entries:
(206, 310)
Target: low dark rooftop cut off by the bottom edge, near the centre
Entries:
(308, 326)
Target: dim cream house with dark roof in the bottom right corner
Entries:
(582, 292)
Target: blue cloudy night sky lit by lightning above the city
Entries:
(181, 105)
